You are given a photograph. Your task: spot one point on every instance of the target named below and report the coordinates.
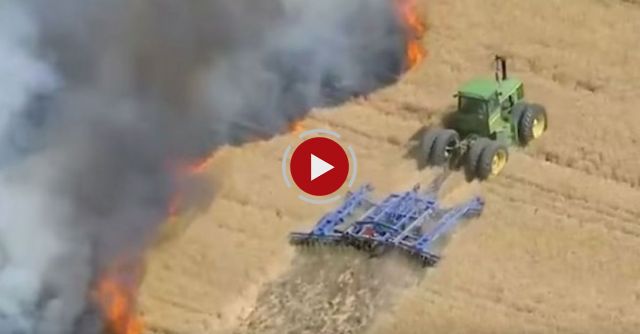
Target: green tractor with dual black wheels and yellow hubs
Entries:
(491, 116)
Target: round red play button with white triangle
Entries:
(319, 166)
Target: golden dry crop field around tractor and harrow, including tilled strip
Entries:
(556, 251)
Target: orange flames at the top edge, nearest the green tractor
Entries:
(416, 28)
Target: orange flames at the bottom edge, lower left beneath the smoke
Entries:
(117, 302)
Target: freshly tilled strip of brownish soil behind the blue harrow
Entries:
(331, 291)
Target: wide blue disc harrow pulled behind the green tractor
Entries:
(411, 222)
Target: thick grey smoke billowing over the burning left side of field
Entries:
(99, 97)
